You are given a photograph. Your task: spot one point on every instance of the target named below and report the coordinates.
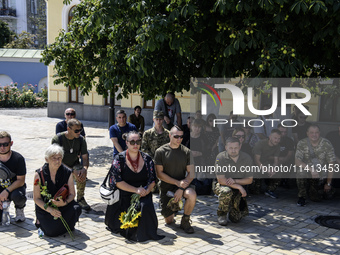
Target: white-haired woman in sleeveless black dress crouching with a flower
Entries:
(56, 175)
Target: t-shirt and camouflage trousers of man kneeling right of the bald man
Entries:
(230, 200)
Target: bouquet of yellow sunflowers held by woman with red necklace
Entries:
(129, 219)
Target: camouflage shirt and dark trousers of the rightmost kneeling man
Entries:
(324, 153)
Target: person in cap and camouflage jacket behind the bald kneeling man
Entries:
(155, 137)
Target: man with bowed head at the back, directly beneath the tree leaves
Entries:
(170, 106)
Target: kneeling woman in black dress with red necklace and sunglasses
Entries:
(133, 172)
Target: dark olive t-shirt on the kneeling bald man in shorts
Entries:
(174, 162)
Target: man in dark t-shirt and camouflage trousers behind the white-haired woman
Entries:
(74, 146)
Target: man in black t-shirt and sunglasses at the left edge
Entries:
(13, 188)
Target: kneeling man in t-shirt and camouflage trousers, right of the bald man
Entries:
(229, 189)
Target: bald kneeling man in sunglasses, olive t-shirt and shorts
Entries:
(173, 166)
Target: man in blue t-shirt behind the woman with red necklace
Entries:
(117, 131)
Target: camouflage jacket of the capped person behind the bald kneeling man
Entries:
(152, 140)
